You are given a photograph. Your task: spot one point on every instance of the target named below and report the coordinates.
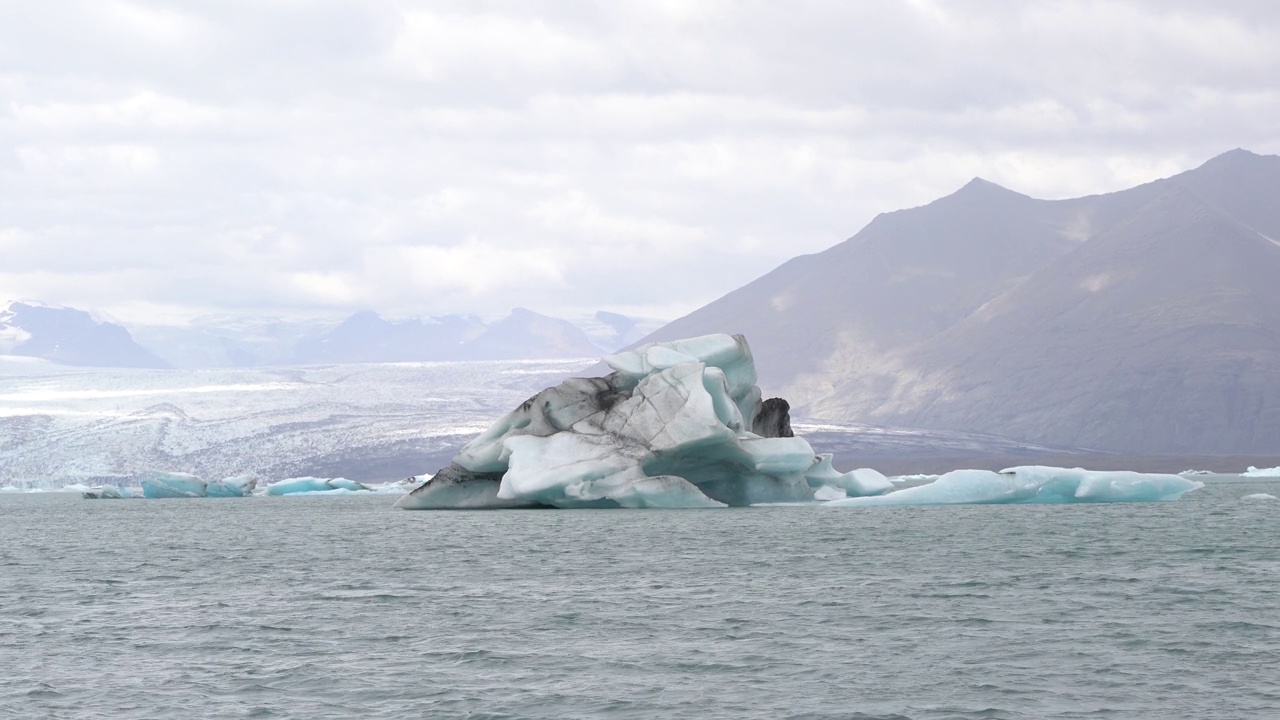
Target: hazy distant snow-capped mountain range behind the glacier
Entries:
(74, 338)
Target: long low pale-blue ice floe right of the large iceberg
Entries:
(1035, 484)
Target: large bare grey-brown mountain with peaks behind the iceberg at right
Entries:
(1144, 321)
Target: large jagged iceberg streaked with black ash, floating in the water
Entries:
(676, 425)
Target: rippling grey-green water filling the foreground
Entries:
(346, 608)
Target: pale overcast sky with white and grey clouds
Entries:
(159, 161)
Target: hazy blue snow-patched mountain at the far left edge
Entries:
(70, 338)
